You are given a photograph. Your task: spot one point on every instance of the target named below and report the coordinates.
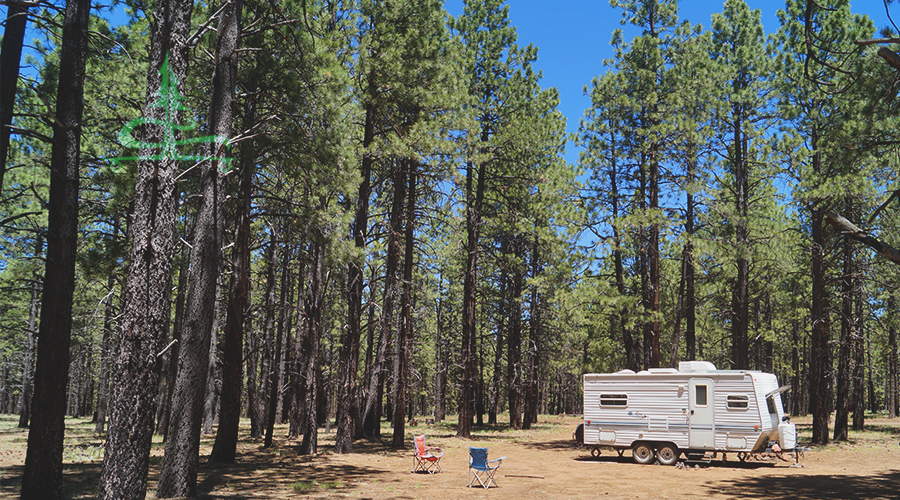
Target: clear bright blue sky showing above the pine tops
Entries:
(572, 37)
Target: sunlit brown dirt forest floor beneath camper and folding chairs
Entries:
(542, 463)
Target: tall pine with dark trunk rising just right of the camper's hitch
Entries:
(814, 147)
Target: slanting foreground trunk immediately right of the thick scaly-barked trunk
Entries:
(178, 477)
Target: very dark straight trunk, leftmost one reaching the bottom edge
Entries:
(42, 475)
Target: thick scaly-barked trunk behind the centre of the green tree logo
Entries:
(147, 286)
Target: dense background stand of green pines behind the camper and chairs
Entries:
(396, 232)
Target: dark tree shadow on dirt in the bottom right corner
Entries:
(875, 486)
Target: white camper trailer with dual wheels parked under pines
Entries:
(696, 409)
